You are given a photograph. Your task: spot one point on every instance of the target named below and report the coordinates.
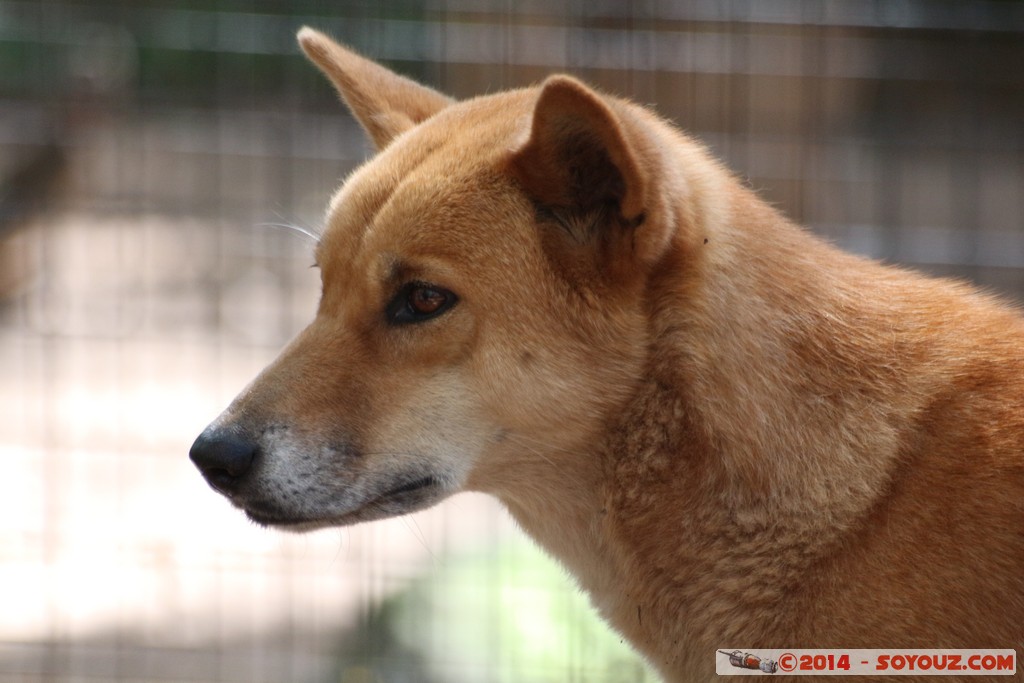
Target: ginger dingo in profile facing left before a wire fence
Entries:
(733, 435)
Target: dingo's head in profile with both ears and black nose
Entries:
(483, 304)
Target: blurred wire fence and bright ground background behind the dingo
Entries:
(150, 152)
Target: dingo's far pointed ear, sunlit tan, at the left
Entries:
(385, 103)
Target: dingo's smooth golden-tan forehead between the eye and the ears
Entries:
(439, 193)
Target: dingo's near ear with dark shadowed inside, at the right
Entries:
(578, 156)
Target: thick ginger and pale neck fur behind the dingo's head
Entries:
(774, 418)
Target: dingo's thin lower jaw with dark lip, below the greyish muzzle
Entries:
(402, 499)
